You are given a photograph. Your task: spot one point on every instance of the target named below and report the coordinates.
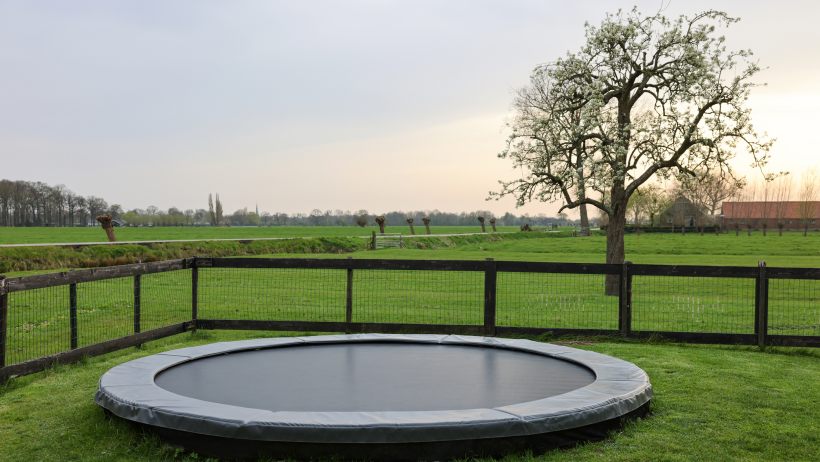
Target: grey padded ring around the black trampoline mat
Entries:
(128, 391)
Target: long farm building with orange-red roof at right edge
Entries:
(791, 214)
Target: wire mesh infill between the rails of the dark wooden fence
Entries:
(40, 322)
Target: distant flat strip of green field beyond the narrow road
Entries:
(45, 235)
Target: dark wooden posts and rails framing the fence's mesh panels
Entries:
(759, 333)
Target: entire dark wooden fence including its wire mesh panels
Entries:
(213, 287)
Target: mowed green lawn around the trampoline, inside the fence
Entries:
(711, 403)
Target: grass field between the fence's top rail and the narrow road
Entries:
(791, 249)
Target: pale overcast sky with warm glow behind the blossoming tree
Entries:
(297, 105)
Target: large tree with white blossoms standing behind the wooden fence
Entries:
(652, 97)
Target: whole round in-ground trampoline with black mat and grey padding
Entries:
(375, 396)
